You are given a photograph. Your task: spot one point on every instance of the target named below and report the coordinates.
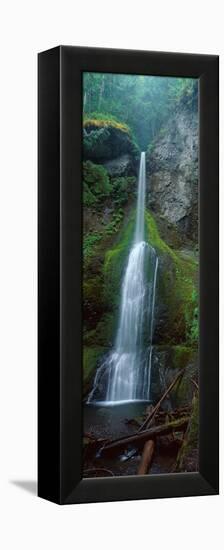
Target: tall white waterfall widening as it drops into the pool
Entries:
(125, 372)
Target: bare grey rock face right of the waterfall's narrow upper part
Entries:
(172, 172)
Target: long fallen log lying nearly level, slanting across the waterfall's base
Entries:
(140, 438)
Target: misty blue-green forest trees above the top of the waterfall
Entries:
(144, 103)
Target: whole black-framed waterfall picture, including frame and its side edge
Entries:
(128, 275)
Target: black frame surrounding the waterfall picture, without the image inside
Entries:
(60, 275)
